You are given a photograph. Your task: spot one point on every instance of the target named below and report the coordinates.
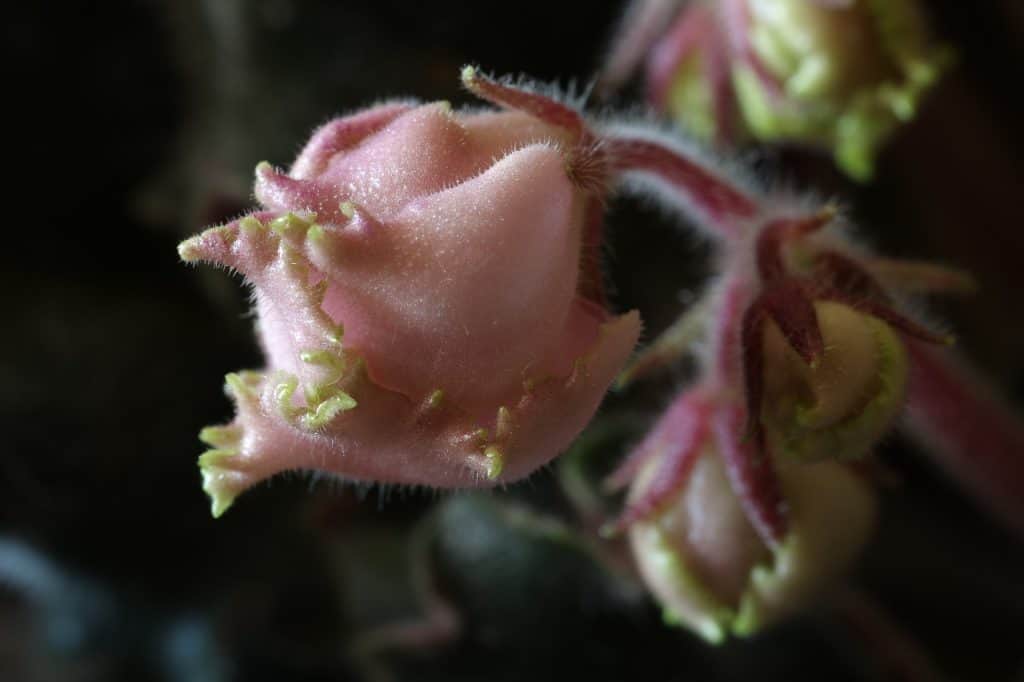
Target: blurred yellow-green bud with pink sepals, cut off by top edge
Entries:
(840, 75)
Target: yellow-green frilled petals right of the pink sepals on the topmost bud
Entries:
(843, 75)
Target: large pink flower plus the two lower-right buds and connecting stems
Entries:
(432, 307)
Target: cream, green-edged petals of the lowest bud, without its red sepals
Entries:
(710, 570)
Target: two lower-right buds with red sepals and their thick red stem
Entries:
(746, 501)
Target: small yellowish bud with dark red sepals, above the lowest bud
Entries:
(825, 368)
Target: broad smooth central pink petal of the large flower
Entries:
(480, 278)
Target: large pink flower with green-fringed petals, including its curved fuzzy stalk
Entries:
(430, 294)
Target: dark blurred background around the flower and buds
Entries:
(131, 125)
